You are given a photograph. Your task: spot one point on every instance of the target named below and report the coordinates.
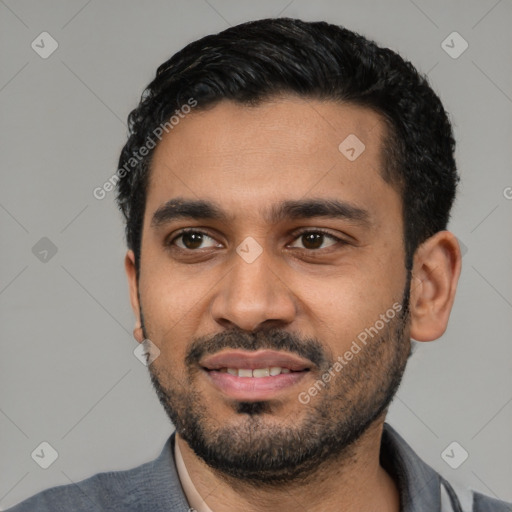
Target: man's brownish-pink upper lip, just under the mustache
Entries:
(236, 358)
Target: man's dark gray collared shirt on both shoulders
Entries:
(155, 486)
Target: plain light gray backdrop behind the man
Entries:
(68, 373)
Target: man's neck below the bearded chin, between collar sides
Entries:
(354, 482)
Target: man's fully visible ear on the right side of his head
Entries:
(435, 273)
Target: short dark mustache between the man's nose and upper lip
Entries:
(273, 339)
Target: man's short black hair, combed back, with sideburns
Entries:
(258, 60)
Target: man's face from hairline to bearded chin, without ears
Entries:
(254, 290)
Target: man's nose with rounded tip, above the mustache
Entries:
(253, 296)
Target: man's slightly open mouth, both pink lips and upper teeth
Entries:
(254, 376)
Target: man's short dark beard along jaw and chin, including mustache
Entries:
(260, 448)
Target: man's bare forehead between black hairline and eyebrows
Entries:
(288, 148)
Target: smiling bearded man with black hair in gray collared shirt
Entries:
(286, 188)
